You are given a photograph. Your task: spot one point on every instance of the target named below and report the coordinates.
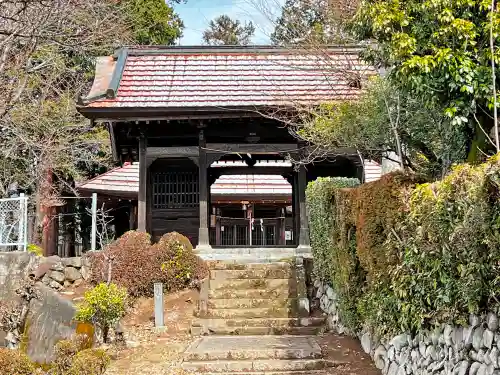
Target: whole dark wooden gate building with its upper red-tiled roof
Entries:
(190, 115)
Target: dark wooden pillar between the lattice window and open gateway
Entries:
(203, 236)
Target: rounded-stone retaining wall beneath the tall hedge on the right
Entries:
(447, 350)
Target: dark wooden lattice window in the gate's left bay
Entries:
(175, 189)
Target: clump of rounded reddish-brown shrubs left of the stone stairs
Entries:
(137, 265)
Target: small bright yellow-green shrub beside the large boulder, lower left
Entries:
(103, 306)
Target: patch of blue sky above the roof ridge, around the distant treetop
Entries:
(196, 15)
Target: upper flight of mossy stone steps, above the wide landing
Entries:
(255, 299)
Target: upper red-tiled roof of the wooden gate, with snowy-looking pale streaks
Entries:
(221, 77)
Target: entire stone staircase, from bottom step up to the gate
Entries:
(254, 319)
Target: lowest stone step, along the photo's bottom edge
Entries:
(252, 366)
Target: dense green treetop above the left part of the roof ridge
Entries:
(154, 22)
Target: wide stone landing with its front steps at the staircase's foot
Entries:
(295, 355)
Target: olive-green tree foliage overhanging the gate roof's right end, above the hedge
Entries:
(381, 117)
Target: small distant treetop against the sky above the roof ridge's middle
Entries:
(225, 31)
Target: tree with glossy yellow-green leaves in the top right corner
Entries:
(438, 50)
